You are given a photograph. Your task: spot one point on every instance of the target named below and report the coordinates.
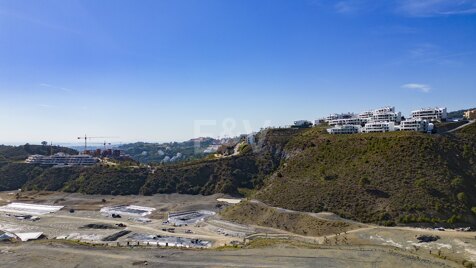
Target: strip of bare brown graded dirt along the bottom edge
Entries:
(60, 255)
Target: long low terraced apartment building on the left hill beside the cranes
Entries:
(61, 159)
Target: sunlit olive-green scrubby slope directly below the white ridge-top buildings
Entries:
(389, 178)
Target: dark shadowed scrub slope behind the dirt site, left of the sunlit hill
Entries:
(224, 175)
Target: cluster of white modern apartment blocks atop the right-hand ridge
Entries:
(384, 119)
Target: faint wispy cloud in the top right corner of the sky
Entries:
(430, 8)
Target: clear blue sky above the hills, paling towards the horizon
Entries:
(147, 70)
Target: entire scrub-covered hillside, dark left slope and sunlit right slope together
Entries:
(385, 178)
